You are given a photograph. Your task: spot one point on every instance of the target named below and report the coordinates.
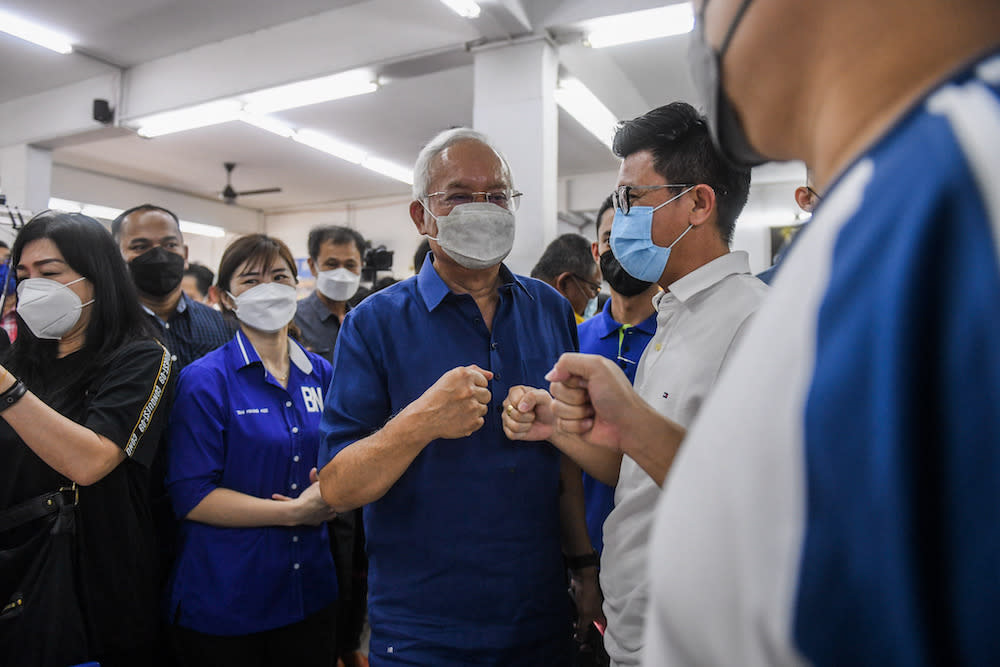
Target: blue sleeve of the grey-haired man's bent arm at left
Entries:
(357, 401)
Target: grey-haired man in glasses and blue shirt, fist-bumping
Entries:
(463, 526)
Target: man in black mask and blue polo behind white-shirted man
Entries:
(619, 332)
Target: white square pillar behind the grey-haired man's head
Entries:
(514, 104)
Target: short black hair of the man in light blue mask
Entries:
(683, 152)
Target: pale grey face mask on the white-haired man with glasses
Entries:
(477, 235)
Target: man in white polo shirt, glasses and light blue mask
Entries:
(676, 206)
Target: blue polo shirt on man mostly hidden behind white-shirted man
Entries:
(602, 335)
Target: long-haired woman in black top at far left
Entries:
(98, 390)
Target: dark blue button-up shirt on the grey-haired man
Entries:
(464, 548)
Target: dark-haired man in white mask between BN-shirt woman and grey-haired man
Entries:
(335, 258)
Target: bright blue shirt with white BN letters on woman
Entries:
(234, 426)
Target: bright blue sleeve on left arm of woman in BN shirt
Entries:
(196, 449)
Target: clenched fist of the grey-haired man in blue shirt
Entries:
(454, 406)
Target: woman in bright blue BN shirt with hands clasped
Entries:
(254, 581)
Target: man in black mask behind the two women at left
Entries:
(150, 240)
